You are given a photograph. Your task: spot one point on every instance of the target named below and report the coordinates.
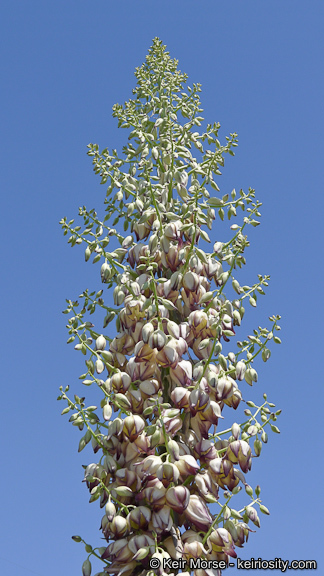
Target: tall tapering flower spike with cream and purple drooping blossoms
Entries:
(164, 473)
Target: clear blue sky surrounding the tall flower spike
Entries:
(63, 66)
